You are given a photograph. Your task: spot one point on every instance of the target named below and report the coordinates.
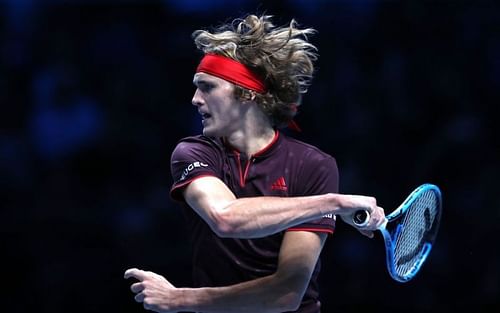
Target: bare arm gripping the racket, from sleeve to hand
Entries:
(254, 217)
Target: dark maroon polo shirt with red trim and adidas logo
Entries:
(285, 168)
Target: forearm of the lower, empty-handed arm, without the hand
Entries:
(266, 294)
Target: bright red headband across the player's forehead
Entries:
(232, 71)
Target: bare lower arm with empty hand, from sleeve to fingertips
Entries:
(279, 292)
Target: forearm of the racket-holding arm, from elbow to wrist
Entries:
(262, 216)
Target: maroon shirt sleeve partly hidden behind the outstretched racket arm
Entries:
(319, 176)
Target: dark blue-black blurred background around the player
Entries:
(95, 94)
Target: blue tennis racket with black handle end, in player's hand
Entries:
(409, 231)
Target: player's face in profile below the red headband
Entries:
(214, 97)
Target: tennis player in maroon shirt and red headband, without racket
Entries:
(259, 204)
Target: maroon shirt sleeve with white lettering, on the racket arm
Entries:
(192, 158)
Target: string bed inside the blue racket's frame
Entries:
(417, 229)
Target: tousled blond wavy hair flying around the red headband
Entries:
(282, 56)
